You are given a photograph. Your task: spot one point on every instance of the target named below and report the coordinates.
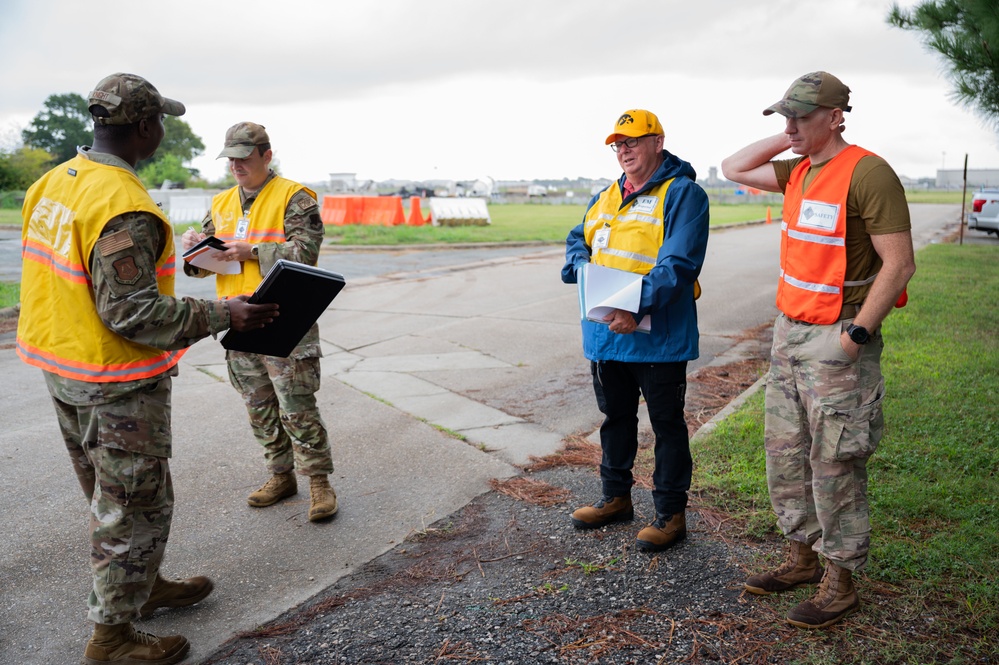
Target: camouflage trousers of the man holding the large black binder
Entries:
(130, 493)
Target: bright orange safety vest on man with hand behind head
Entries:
(813, 240)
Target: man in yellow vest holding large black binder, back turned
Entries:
(98, 317)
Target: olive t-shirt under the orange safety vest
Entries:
(875, 205)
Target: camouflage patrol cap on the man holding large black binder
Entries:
(121, 99)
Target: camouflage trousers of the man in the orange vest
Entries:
(823, 421)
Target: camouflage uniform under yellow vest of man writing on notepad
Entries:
(280, 393)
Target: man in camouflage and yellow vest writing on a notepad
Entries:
(262, 219)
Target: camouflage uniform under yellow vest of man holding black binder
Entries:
(118, 434)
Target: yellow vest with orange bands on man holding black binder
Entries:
(59, 329)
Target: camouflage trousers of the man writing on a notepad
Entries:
(280, 397)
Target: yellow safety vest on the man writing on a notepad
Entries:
(263, 223)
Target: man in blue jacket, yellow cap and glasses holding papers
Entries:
(652, 222)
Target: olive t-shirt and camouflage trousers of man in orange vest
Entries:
(823, 410)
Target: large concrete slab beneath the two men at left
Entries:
(393, 474)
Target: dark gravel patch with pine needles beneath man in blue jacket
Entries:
(508, 581)
